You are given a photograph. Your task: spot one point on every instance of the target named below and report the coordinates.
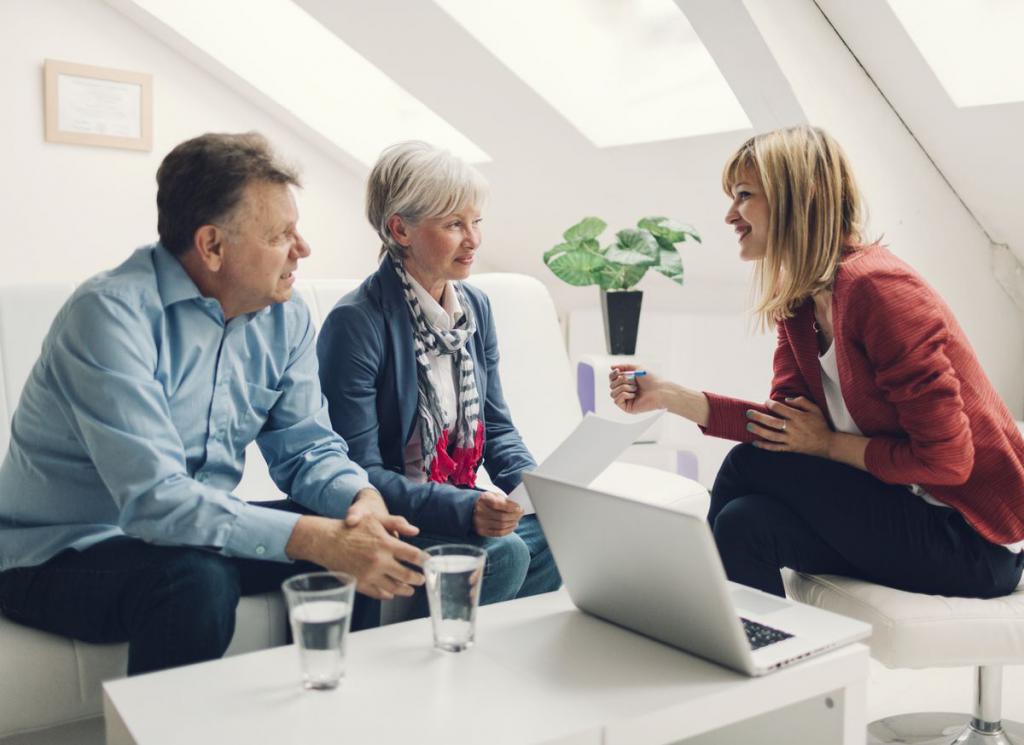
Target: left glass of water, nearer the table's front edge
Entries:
(320, 607)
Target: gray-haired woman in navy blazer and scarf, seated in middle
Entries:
(409, 365)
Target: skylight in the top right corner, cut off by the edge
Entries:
(973, 47)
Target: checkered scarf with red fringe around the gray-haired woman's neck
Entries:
(441, 462)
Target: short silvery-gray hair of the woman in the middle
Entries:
(416, 181)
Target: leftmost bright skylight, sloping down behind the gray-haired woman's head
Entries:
(287, 55)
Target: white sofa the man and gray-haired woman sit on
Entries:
(51, 686)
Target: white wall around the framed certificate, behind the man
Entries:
(70, 211)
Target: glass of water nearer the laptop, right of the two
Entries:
(454, 578)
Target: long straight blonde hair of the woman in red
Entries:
(816, 214)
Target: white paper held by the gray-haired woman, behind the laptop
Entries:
(587, 452)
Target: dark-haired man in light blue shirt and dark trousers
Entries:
(117, 522)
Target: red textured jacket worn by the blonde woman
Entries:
(913, 385)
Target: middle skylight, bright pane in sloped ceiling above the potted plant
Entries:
(621, 72)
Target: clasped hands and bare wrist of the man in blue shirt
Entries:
(368, 551)
